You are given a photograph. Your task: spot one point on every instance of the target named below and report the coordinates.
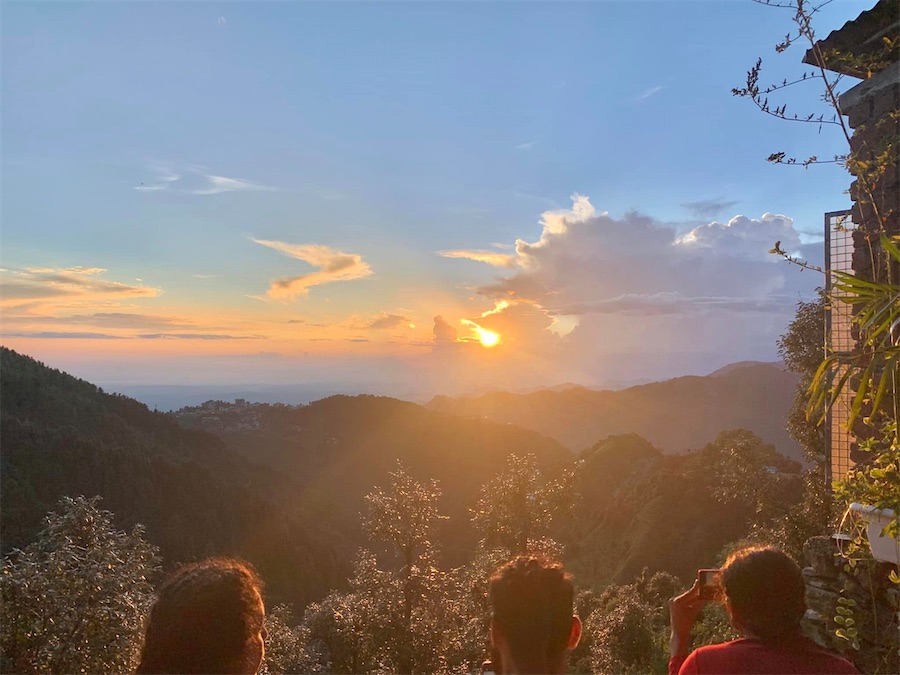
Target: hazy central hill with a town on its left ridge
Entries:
(341, 446)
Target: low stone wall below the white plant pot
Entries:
(876, 614)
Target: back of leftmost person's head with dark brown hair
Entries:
(208, 618)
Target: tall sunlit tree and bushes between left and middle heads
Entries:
(389, 621)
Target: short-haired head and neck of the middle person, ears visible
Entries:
(533, 622)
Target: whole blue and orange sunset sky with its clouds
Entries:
(447, 196)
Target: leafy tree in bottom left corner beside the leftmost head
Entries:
(74, 600)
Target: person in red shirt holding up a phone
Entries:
(764, 595)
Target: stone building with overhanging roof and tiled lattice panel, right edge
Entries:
(868, 47)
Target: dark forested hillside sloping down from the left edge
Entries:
(62, 436)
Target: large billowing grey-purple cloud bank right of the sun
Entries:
(599, 298)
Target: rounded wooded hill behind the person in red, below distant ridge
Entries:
(641, 508)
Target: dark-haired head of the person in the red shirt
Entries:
(764, 592)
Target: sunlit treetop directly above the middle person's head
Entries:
(517, 506)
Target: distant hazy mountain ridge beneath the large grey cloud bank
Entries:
(675, 415)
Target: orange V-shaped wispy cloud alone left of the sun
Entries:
(333, 265)
